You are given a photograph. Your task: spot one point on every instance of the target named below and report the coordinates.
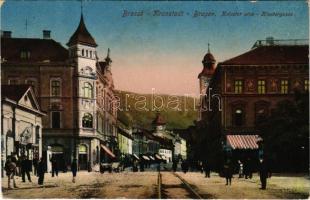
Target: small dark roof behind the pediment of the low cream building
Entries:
(13, 92)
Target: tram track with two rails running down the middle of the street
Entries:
(173, 186)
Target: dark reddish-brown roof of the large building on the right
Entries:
(273, 54)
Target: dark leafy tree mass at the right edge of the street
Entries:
(286, 134)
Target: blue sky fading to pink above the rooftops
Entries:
(159, 52)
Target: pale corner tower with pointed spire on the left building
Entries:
(82, 53)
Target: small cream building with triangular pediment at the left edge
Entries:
(21, 123)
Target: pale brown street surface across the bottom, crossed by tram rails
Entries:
(145, 185)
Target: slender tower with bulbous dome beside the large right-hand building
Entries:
(205, 77)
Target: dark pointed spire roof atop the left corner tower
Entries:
(82, 36)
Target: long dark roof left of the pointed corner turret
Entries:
(40, 50)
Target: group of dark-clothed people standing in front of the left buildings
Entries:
(23, 166)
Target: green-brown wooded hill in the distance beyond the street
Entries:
(140, 109)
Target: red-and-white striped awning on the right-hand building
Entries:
(243, 141)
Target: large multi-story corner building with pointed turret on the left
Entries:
(74, 88)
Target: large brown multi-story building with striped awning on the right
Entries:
(251, 85)
